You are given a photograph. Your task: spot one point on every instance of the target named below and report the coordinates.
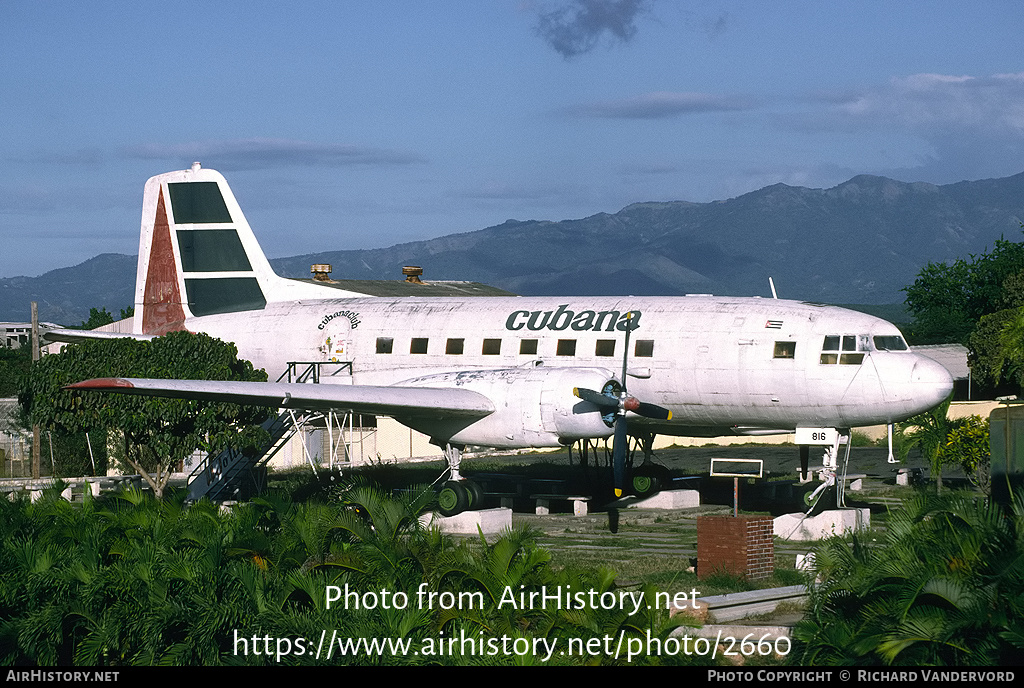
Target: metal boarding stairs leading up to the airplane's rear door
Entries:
(233, 476)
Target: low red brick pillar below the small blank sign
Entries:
(742, 546)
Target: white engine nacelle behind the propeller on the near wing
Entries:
(534, 407)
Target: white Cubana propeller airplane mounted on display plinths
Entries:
(511, 372)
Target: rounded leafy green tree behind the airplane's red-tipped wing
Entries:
(158, 434)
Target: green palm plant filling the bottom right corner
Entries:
(945, 589)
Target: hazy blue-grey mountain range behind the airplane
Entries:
(861, 242)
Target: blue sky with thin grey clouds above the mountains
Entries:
(345, 125)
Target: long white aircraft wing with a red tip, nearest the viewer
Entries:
(398, 402)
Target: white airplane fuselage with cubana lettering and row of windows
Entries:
(720, 365)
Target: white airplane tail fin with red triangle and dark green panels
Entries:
(198, 255)
